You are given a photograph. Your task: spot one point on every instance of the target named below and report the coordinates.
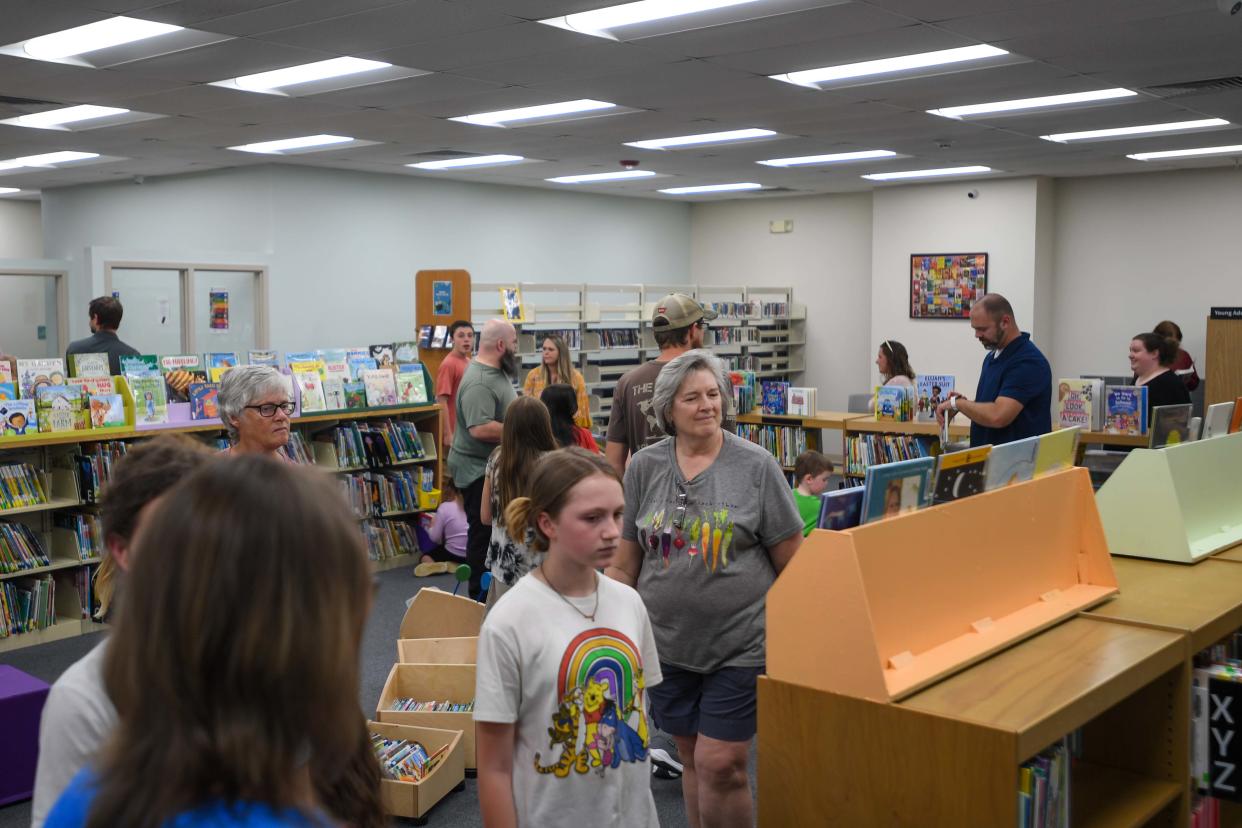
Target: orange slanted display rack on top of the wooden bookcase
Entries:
(900, 604)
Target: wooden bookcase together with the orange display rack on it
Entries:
(948, 660)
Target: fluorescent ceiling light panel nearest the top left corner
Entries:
(111, 42)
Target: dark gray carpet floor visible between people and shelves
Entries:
(379, 651)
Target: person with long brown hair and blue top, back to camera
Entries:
(234, 665)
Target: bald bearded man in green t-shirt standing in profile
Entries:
(484, 395)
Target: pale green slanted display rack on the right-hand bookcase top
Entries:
(1179, 503)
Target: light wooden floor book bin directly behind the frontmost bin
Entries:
(432, 683)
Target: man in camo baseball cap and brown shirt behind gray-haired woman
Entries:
(679, 323)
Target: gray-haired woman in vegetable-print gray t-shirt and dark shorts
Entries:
(710, 522)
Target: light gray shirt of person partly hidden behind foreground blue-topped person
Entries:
(78, 719)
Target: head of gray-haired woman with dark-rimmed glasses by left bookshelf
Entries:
(255, 408)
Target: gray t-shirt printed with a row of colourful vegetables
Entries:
(706, 584)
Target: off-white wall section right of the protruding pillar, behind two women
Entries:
(1135, 250)
